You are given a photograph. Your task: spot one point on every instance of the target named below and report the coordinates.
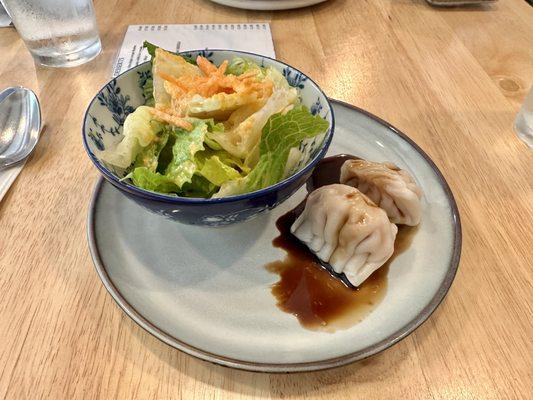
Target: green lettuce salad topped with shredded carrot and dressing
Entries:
(212, 131)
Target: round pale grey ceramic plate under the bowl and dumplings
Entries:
(206, 292)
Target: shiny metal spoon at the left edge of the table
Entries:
(20, 124)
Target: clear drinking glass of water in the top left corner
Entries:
(58, 33)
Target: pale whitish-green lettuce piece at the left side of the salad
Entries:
(138, 132)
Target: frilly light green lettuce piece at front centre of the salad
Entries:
(182, 166)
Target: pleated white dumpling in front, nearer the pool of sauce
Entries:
(346, 229)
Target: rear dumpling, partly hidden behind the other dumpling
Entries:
(390, 187)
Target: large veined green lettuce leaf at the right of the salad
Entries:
(280, 134)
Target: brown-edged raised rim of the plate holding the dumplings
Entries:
(389, 341)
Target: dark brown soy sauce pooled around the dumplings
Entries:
(307, 290)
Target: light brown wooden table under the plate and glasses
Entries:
(452, 79)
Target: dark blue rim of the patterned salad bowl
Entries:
(146, 194)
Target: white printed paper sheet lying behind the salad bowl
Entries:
(252, 37)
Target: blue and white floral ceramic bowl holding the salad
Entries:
(105, 116)
